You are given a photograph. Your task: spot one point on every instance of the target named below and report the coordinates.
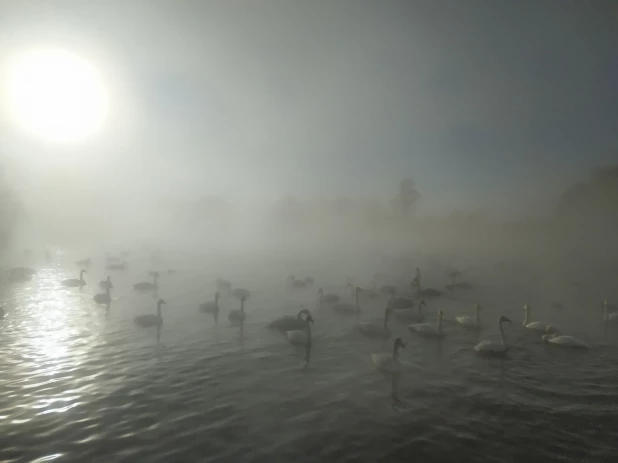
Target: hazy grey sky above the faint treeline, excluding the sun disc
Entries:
(487, 105)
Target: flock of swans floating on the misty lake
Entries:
(297, 329)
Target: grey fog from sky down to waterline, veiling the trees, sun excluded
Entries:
(289, 130)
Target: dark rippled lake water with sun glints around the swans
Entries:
(82, 384)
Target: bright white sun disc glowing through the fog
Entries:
(55, 95)
